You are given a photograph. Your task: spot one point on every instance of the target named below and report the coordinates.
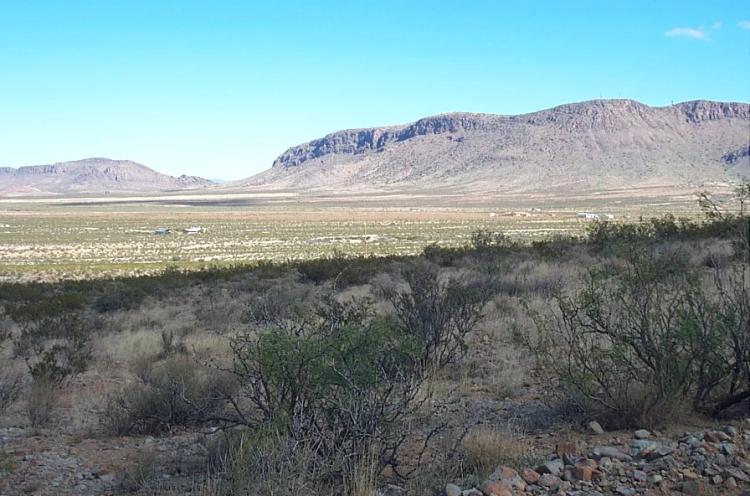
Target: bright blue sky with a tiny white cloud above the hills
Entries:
(220, 88)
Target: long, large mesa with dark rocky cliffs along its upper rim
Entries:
(576, 147)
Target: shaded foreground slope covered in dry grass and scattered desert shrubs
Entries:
(345, 373)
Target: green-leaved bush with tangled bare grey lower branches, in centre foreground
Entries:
(340, 382)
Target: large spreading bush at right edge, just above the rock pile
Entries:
(650, 334)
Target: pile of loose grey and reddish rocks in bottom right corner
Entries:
(695, 463)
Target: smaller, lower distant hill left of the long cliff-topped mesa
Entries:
(91, 176)
